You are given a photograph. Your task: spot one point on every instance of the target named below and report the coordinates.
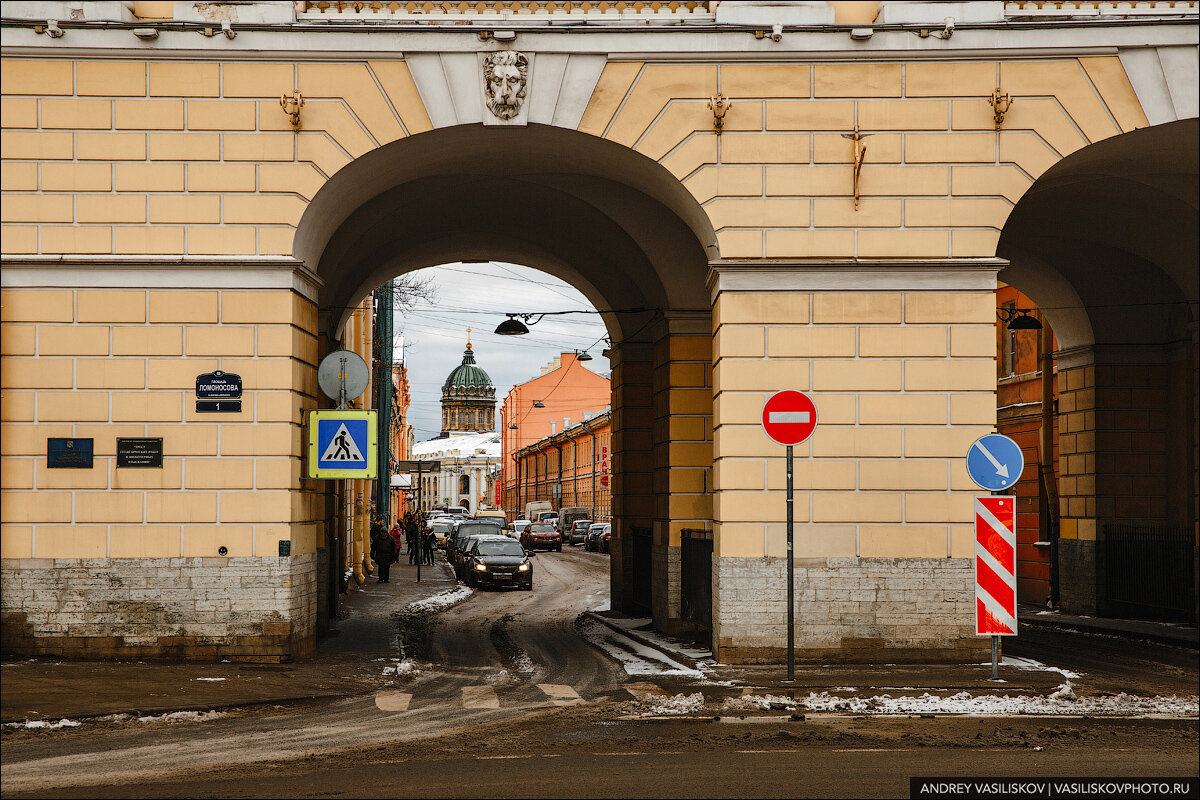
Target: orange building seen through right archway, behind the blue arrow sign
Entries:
(1019, 416)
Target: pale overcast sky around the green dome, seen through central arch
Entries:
(478, 297)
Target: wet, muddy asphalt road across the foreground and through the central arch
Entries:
(512, 702)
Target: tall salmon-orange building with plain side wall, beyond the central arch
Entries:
(566, 392)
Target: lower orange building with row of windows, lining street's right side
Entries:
(571, 468)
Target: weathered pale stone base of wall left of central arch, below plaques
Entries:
(254, 610)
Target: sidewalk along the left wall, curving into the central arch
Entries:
(347, 664)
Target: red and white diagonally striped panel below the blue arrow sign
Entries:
(997, 567)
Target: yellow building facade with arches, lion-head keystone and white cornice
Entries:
(803, 196)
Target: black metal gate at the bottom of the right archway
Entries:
(1150, 572)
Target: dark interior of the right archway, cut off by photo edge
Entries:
(1106, 243)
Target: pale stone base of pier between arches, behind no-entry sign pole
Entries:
(848, 611)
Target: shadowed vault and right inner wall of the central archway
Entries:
(605, 219)
